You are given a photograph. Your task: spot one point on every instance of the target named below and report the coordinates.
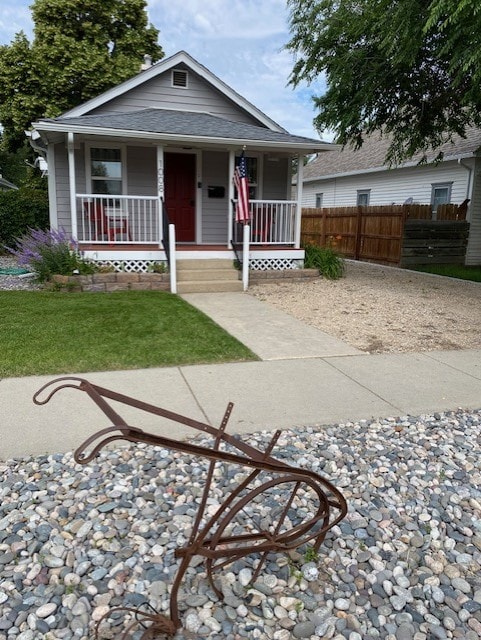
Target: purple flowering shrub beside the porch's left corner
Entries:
(50, 252)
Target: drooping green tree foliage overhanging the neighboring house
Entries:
(409, 68)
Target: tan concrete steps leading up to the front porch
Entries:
(207, 276)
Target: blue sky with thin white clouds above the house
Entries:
(240, 41)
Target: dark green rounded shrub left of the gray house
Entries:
(20, 210)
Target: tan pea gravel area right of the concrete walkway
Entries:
(383, 309)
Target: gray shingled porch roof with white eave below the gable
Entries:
(181, 126)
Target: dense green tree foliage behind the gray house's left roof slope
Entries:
(80, 48)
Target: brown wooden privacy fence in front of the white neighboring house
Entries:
(373, 234)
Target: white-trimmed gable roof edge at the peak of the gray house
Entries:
(182, 57)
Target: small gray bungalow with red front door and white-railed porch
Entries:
(145, 171)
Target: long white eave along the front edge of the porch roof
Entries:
(298, 147)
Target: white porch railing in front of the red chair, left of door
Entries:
(120, 219)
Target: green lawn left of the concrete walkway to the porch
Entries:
(52, 333)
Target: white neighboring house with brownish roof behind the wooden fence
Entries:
(346, 178)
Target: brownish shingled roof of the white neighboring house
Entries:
(371, 156)
